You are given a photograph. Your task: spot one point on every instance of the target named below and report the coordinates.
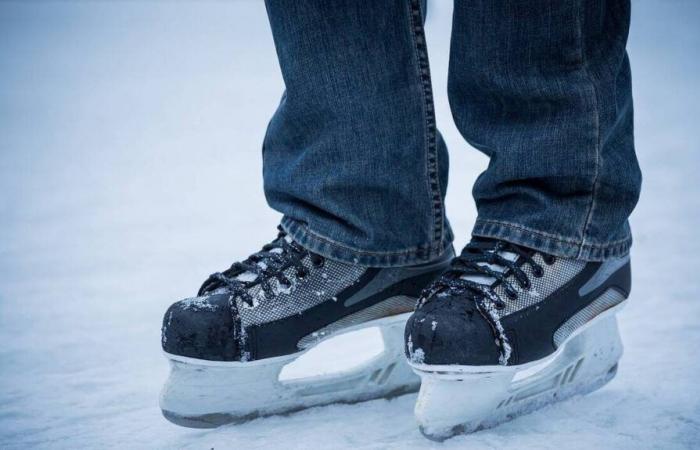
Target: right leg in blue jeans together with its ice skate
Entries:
(543, 88)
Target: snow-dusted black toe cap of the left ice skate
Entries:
(200, 327)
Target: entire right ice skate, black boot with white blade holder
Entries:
(507, 330)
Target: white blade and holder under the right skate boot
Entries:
(463, 399)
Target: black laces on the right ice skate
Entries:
(473, 262)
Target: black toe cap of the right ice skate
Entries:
(450, 330)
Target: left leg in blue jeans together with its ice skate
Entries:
(354, 161)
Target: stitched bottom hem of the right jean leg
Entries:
(550, 243)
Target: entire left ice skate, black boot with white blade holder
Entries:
(228, 345)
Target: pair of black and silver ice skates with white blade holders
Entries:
(499, 331)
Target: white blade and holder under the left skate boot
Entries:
(207, 394)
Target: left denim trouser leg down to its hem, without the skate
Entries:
(352, 156)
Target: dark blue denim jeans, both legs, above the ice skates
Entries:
(353, 159)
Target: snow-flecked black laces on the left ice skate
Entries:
(270, 263)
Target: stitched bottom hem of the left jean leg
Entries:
(329, 248)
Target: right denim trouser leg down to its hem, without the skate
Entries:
(543, 88)
